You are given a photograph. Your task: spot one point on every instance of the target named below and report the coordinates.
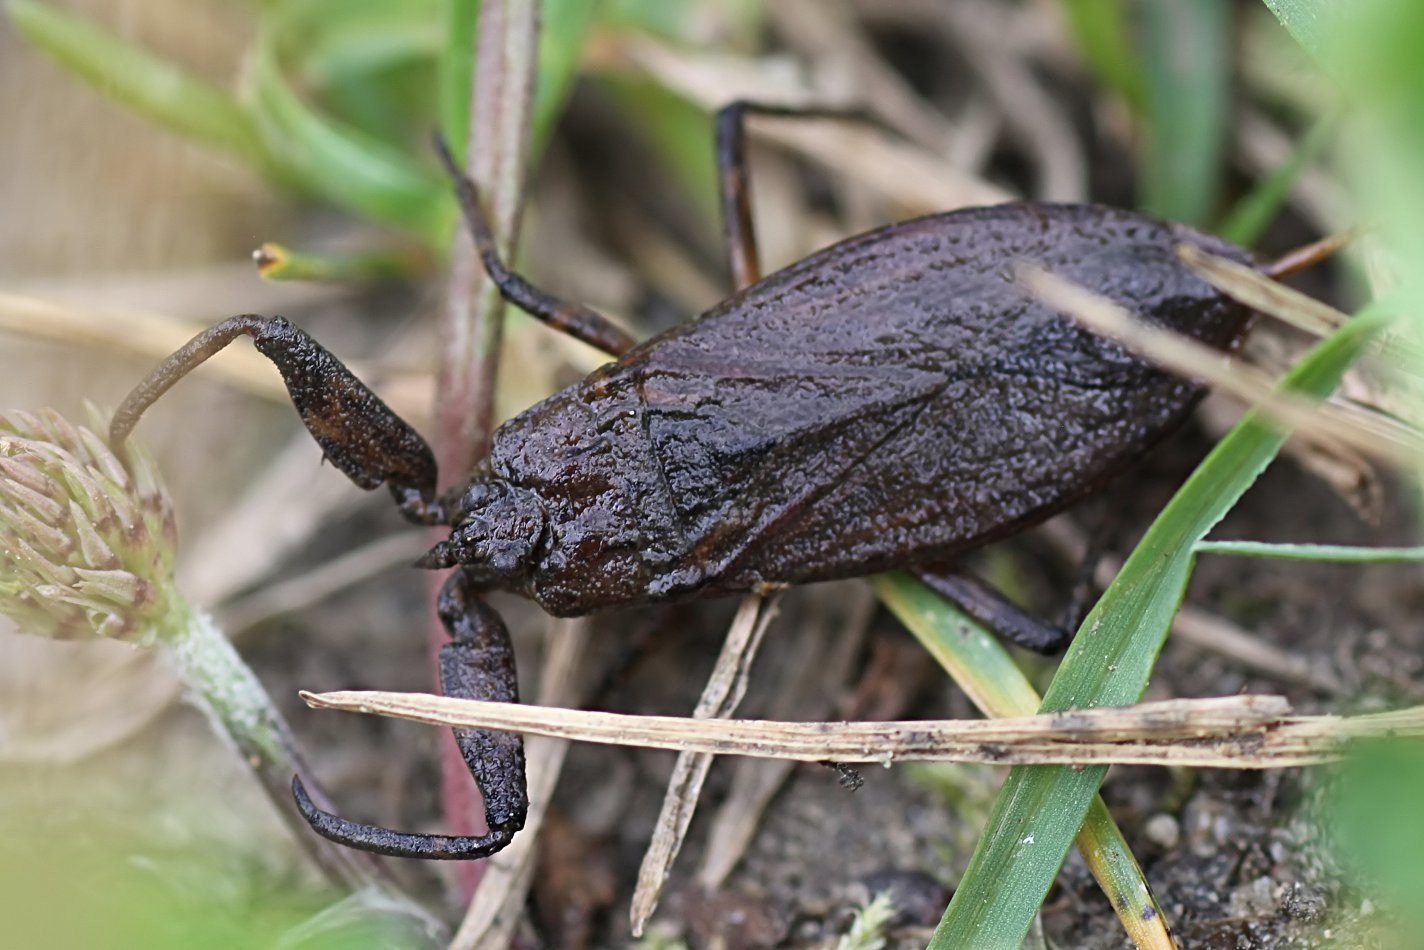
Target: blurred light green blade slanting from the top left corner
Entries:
(150, 86)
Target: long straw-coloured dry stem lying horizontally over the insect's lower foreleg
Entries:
(1232, 733)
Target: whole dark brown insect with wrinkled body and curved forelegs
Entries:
(894, 401)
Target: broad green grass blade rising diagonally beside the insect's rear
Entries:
(1040, 808)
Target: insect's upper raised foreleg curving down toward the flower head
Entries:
(358, 432)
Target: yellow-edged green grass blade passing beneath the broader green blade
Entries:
(995, 683)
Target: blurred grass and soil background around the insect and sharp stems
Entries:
(153, 146)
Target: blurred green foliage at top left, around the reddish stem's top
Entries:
(338, 100)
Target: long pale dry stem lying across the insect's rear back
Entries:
(1363, 431)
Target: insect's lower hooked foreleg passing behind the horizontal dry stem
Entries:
(478, 664)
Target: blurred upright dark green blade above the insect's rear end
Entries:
(1188, 69)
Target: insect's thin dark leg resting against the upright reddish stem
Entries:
(579, 321)
